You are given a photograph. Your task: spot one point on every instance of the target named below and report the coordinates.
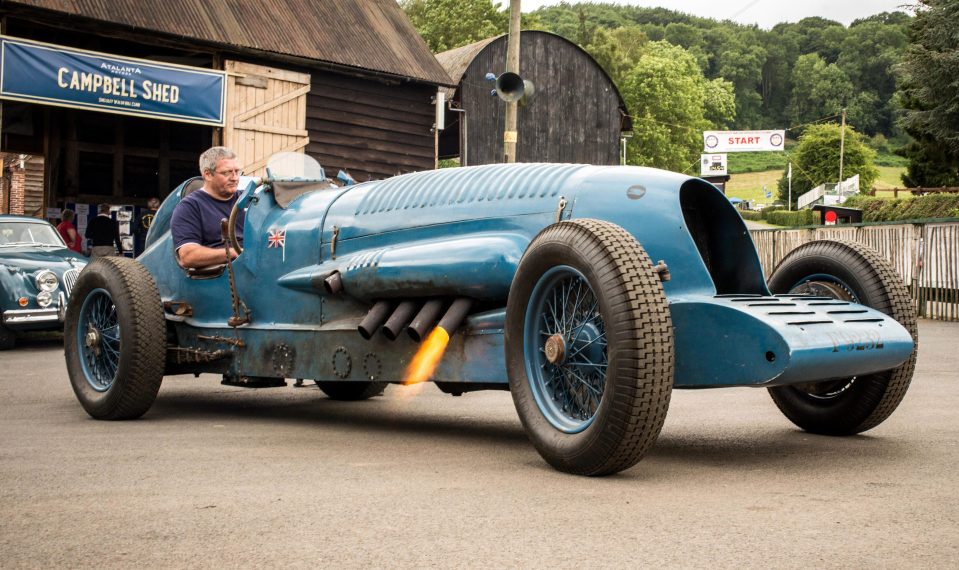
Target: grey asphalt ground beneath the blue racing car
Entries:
(217, 476)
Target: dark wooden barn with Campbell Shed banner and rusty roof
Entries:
(117, 99)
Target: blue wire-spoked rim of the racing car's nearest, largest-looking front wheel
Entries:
(568, 390)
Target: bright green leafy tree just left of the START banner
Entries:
(671, 104)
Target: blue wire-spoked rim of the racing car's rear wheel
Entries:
(98, 339)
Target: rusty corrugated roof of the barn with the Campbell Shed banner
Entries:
(372, 35)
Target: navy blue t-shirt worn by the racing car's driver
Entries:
(196, 219)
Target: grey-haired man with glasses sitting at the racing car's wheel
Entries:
(195, 226)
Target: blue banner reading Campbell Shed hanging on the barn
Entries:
(66, 77)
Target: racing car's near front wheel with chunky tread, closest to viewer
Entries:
(589, 347)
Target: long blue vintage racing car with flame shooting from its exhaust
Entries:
(588, 292)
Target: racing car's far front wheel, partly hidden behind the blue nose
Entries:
(857, 273)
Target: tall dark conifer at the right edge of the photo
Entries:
(927, 78)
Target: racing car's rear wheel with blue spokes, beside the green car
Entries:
(114, 339)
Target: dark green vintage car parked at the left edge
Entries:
(37, 272)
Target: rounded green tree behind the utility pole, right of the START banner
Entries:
(816, 160)
